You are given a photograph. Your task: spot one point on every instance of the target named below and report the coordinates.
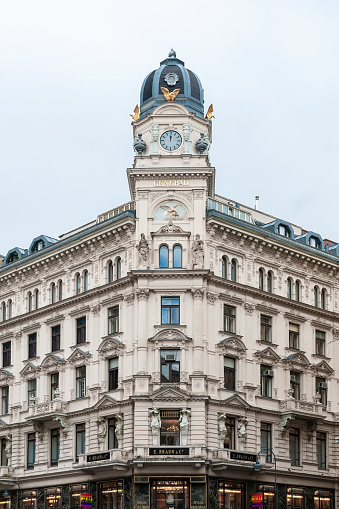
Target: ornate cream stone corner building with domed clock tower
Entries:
(147, 357)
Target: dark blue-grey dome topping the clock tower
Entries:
(172, 75)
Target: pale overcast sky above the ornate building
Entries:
(71, 73)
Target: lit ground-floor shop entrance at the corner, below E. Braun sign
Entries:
(169, 494)
